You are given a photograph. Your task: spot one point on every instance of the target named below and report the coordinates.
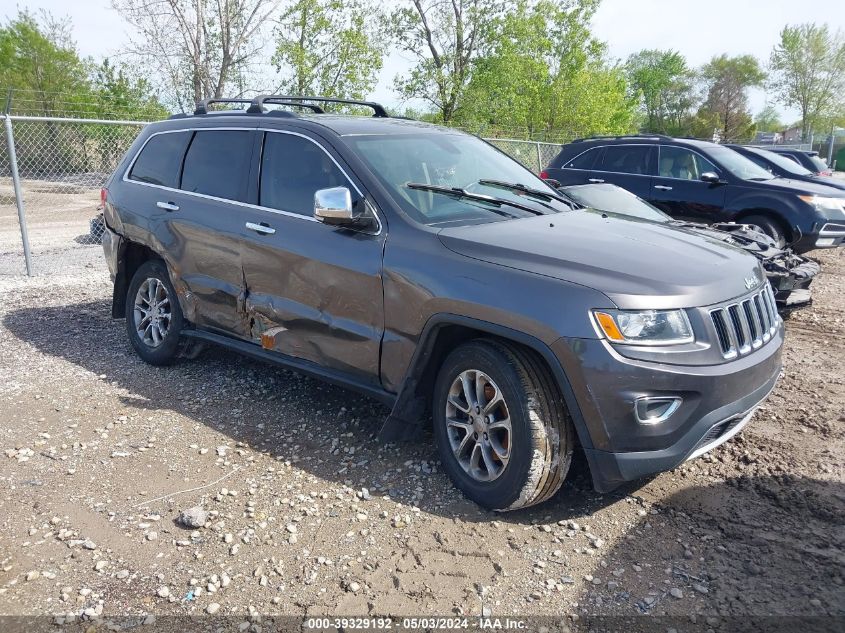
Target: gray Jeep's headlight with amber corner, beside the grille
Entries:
(645, 327)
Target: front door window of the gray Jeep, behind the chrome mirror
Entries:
(292, 170)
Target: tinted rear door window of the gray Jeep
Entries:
(217, 164)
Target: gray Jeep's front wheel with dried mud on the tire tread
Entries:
(502, 429)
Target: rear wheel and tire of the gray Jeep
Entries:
(154, 320)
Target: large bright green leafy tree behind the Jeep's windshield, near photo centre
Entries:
(545, 76)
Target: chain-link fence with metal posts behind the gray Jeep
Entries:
(62, 163)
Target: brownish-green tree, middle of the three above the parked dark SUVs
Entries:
(725, 109)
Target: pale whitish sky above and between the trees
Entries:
(698, 29)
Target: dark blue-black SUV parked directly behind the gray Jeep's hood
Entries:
(700, 181)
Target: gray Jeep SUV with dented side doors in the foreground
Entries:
(421, 266)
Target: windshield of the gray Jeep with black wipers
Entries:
(452, 161)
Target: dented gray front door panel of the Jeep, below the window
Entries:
(314, 292)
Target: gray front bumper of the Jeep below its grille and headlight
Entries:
(717, 401)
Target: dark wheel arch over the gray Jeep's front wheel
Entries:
(441, 334)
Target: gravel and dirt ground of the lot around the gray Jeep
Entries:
(295, 508)
